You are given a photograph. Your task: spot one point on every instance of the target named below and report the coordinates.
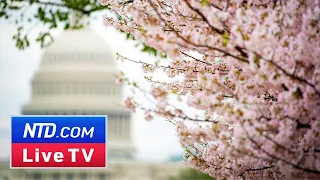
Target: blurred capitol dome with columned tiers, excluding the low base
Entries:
(76, 78)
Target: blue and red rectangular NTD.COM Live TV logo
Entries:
(58, 141)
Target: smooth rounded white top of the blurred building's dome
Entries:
(77, 48)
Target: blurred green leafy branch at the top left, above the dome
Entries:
(51, 15)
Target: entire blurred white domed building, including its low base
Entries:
(76, 78)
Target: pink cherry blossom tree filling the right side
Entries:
(248, 73)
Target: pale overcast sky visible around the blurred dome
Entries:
(154, 141)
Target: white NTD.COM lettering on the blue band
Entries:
(74, 132)
